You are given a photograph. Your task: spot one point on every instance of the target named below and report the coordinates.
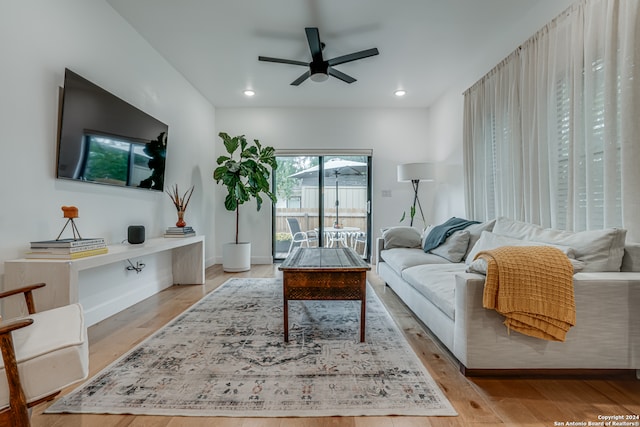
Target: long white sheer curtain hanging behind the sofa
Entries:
(552, 133)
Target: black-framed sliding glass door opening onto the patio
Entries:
(323, 200)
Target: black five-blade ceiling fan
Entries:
(319, 68)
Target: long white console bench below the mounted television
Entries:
(63, 278)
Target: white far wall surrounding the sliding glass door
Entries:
(395, 136)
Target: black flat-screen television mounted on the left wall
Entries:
(105, 140)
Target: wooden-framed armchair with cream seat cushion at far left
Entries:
(42, 354)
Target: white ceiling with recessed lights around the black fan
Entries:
(424, 45)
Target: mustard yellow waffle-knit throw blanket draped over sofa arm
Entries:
(532, 286)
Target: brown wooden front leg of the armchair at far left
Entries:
(18, 415)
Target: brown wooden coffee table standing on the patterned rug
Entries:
(324, 274)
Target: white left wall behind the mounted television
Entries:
(38, 39)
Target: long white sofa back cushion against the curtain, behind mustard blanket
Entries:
(601, 250)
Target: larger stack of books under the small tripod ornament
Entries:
(67, 248)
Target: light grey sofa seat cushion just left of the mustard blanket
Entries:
(437, 283)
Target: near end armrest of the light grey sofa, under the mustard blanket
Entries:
(606, 304)
